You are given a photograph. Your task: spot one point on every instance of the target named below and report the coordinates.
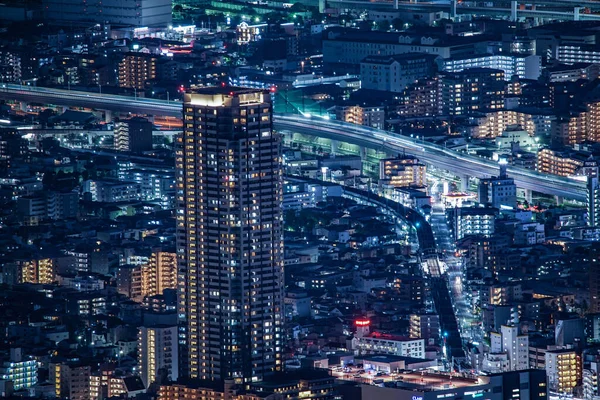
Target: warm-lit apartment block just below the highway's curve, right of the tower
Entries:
(402, 171)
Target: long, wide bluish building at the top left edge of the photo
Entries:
(137, 13)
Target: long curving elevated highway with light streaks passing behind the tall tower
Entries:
(455, 162)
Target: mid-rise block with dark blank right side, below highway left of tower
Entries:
(133, 135)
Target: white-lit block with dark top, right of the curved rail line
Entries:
(477, 221)
